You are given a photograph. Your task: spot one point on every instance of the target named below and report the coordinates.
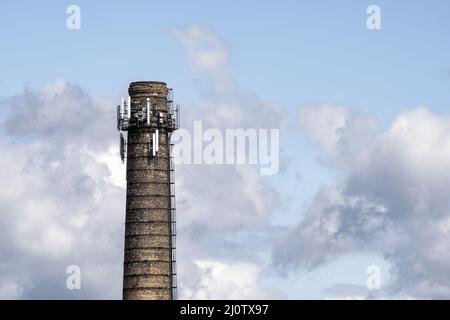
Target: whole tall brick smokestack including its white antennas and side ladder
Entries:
(149, 261)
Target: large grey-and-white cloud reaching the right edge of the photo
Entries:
(392, 200)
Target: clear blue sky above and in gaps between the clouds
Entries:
(290, 53)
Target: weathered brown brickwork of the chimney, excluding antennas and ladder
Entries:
(147, 260)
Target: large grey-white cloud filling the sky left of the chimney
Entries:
(58, 205)
